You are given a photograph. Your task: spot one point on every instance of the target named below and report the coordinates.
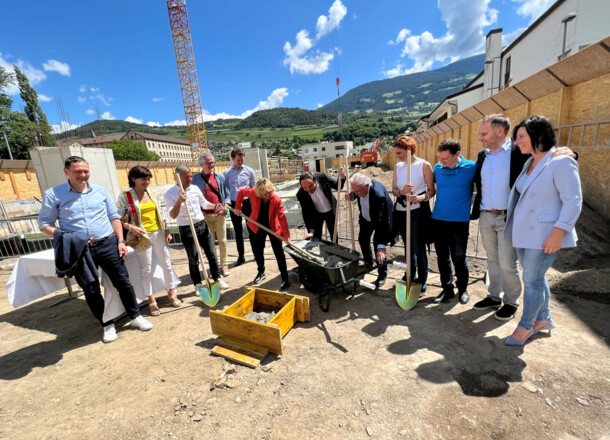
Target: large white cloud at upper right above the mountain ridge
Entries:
(463, 38)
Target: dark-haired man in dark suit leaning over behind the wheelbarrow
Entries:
(317, 202)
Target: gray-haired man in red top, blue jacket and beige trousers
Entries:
(215, 190)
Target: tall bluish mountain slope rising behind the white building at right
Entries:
(417, 93)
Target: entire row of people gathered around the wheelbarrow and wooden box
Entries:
(528, 200)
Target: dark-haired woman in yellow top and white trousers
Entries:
(144, 206)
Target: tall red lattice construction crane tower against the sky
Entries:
(183, 47)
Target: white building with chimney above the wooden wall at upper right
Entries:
(541, 45)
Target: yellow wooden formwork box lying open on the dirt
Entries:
(247, 342)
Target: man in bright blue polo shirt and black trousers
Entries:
(454, 177)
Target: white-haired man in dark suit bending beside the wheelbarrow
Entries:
(375, 217)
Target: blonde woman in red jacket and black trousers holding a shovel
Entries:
(268, 210)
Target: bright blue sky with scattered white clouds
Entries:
(117, 56)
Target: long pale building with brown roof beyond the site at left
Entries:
(168, 149)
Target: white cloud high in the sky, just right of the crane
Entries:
(301, 58)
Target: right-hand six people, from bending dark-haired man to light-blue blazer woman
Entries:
(527, 202)
